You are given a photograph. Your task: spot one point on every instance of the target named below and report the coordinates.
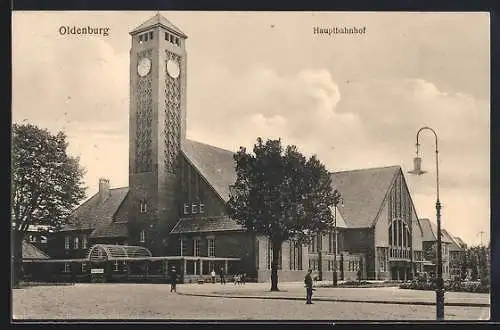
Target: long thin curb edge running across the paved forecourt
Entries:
(423, 303)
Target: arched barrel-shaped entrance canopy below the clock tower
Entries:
(104, 252)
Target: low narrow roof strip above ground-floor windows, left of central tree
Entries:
(206, 224)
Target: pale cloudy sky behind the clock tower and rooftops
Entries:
(356, 101)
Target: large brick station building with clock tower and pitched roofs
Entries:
(174, 206)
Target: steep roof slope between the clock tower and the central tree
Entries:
(216, 165)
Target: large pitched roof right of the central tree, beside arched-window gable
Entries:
(363, 192)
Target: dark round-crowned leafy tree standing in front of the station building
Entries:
(280, 194)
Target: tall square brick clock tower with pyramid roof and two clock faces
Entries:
(157, 130)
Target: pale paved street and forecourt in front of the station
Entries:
(154, 301)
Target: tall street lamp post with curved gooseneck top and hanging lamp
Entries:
(417, 162)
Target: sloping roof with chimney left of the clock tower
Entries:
(95, 212)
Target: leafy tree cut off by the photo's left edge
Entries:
(46, 184)
